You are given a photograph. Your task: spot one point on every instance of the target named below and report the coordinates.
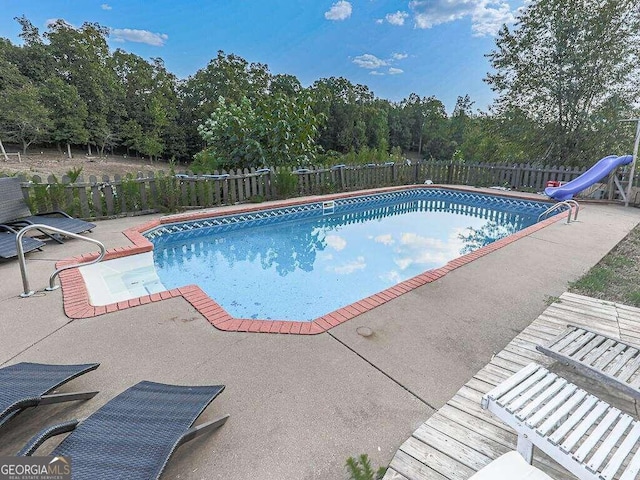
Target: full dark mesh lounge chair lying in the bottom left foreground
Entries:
(133, 435)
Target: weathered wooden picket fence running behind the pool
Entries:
(151, 192)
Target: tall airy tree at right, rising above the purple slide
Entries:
(563, 65)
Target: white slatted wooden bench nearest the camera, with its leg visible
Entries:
(587, 436)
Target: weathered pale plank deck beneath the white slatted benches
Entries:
(461, 438)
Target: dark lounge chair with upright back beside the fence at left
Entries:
(15, 211)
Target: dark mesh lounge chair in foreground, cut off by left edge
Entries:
(25, 385)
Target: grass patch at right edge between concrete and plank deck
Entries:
(616, 278)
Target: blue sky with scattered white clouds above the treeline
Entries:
(428, 47)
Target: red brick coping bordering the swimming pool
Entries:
(76, 297)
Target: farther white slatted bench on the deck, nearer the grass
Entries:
(598, 356)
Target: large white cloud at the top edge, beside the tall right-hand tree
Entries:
(487, 16)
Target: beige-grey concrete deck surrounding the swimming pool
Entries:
(300, 405)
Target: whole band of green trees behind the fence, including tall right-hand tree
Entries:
(565, 74)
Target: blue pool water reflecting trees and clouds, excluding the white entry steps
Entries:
(297, 263)
